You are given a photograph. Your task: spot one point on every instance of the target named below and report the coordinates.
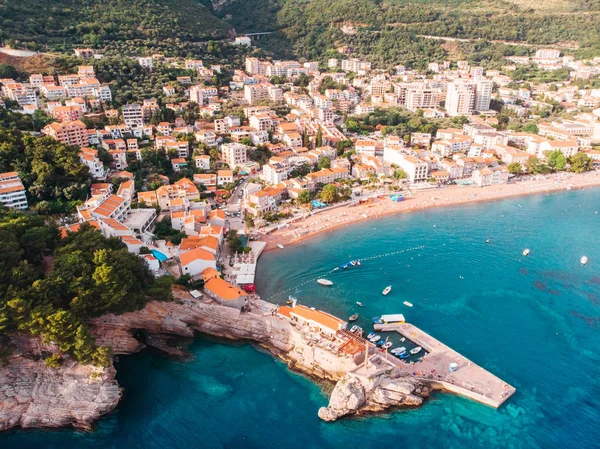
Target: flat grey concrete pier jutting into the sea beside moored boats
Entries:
(469, 379)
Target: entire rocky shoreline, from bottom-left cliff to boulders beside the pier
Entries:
(35, 396)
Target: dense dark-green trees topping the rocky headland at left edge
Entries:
(50, 286)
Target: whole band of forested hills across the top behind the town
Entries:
(386, 32)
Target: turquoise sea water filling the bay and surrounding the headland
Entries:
(534, 321)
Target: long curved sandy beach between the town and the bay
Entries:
(328, 220)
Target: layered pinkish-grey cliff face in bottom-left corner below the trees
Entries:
(33, 395)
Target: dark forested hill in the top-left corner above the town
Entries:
(47, 24)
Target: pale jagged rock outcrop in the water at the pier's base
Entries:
(355, 394)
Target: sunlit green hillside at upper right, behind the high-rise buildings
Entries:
(389, 30)
